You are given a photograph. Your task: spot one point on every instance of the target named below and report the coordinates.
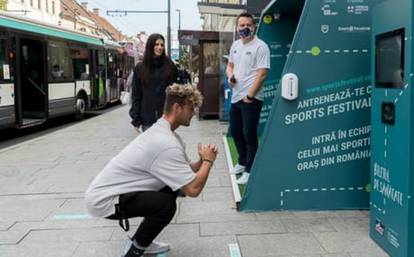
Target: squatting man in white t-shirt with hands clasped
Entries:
(144, 178)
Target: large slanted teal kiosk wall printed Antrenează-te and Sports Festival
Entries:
(315, 147)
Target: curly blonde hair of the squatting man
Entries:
(182, 93)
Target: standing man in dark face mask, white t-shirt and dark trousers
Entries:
(249, 61)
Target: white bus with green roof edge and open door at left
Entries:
(48, 71)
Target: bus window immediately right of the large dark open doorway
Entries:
(60, 65)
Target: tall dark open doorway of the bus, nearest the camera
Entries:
(33, 93)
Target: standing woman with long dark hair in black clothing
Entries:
(151, 77)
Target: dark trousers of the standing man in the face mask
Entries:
(244, 119)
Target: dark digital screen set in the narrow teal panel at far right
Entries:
(389, 59)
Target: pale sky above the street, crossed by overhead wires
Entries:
(149, 23)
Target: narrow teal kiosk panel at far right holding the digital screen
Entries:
(392, 210)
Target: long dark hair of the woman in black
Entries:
(148, 61)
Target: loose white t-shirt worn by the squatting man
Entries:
(153, 160)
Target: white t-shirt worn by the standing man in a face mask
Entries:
(247, 60)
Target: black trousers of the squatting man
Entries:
(157, 208)
